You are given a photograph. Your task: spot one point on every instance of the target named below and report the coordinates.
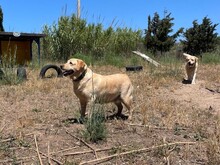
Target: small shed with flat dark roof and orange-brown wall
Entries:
(19, 45)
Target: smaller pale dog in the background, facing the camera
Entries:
(191, 66)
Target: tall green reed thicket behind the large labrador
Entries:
(71, 36)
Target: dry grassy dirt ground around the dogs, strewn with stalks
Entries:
(173, 122)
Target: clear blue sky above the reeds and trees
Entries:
(31, 15)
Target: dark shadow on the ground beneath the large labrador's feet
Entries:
(81, 121)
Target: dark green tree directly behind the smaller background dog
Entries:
(200, 38)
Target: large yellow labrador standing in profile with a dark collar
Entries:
(89, 86)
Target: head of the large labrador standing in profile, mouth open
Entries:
(74, 68)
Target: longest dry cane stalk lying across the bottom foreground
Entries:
(133, 151)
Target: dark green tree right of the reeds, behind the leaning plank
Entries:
(157, 35)
